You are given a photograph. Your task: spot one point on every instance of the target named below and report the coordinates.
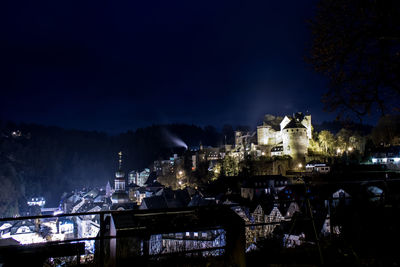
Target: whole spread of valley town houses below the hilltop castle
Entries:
(269, 206)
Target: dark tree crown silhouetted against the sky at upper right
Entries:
(356, 45)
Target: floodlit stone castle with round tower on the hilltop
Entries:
(276, 137)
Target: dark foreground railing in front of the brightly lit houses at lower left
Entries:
(105, 238)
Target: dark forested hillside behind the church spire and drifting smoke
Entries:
(41, 160)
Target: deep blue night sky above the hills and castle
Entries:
(121, 65)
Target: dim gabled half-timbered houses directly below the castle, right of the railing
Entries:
(271, 203)
